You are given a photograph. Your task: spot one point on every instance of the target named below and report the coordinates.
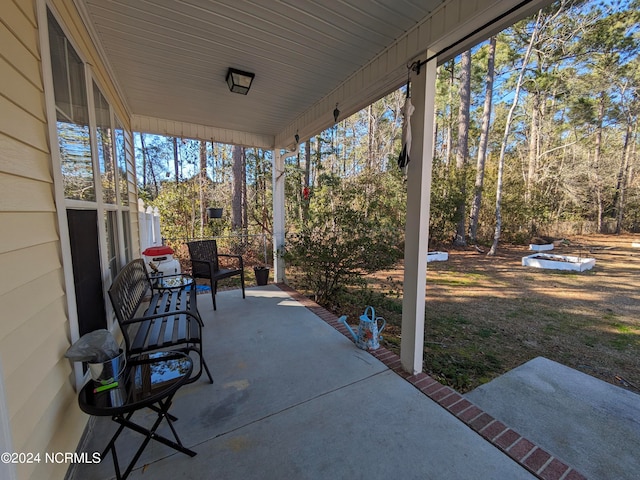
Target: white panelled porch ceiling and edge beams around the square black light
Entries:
(170, 57)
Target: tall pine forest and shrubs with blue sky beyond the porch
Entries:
(536, 134)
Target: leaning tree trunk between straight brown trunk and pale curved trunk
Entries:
(484, 139)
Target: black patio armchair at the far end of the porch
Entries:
(204, 262)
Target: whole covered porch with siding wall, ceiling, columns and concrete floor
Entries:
(159, 67)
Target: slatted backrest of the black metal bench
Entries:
(128, 290)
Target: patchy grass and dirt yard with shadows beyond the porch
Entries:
(487, 315)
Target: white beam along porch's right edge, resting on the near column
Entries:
(454, 27)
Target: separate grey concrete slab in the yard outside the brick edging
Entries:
(594, 424)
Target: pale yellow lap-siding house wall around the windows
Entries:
(39, 383)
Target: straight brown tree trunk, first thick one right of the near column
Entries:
(463, 146)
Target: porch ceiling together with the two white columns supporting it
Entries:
(312, 65)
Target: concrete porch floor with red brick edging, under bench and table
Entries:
(294, 398)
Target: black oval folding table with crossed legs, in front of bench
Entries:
(149, 381)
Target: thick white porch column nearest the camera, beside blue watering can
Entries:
(423, 88)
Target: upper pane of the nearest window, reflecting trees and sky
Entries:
(72, 116)
